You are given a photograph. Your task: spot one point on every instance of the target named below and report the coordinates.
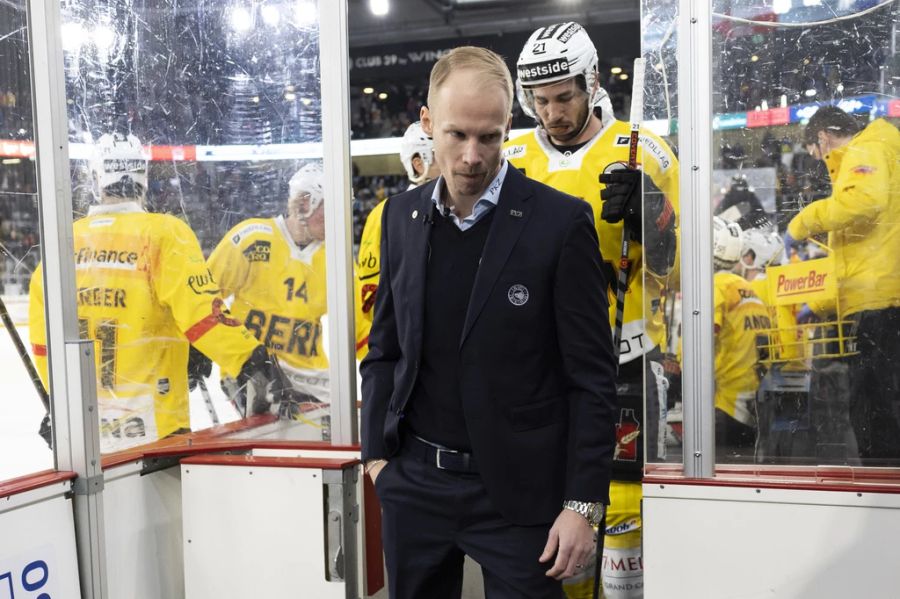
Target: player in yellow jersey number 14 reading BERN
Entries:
(275, 270)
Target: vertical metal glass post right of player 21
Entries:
(695, 143)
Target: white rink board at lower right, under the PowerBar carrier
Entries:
(739, 543)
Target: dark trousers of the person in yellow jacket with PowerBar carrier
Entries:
(875, 386)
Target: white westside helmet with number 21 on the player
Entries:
(553, 54)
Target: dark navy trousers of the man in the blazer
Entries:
(432, 518)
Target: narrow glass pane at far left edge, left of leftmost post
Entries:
(23, 409)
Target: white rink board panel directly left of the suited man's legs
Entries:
(254, 535)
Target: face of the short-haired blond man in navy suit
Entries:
(468, 122)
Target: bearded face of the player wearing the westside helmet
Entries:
(562, 109)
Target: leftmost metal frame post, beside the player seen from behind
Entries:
(71, 361)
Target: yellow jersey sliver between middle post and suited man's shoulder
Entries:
(368, 272)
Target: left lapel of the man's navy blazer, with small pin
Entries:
(416, 250)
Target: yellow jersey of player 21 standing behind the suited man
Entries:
(577, 174)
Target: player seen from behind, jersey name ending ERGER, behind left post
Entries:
(143, 294)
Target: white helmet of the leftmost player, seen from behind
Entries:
(119, 165)
